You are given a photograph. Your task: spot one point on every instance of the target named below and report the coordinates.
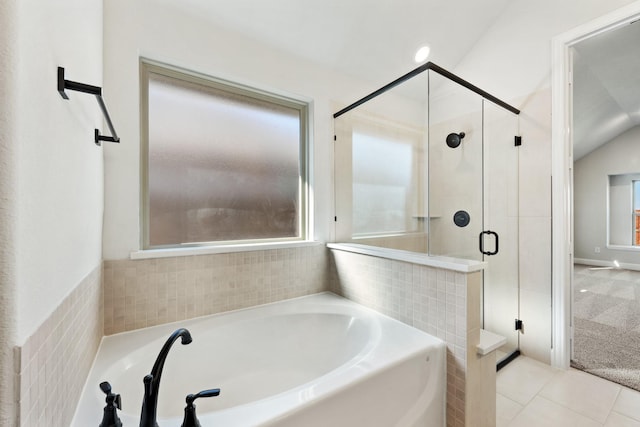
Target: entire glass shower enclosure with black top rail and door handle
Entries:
(429, 164)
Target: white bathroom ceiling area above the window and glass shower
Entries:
(371, 40)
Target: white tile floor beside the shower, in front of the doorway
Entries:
(532, 394)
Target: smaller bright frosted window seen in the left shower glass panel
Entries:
(382, 184)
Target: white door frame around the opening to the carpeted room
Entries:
(562, 174)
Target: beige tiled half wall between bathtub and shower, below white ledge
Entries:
(441, 302)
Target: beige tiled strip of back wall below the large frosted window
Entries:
(149, 292)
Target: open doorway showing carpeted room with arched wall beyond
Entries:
(606, 164)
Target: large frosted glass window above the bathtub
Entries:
(223, 164)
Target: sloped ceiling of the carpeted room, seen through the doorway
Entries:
(606, 91)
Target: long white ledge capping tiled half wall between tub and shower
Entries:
(447, 263)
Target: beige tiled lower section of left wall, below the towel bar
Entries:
(54, 362)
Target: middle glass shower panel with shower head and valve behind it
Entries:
(455, 169)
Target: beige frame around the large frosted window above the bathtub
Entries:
(303, 105)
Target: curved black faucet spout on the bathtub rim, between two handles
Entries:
(152, 381)
